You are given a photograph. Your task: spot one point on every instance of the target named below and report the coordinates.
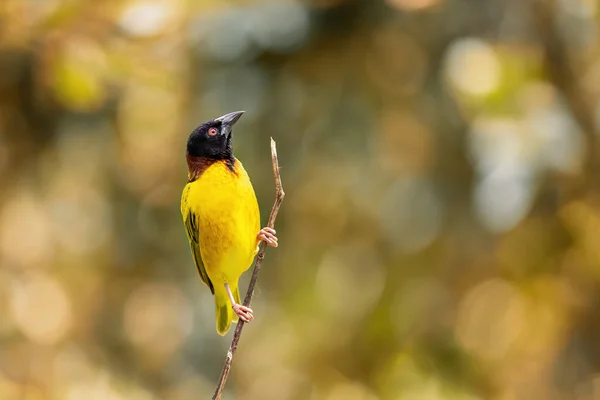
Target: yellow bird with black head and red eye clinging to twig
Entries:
(221, 217)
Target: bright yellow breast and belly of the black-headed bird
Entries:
(228, 219)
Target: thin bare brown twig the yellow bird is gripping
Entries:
(279, 194)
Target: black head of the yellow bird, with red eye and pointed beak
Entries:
(212, 139)
